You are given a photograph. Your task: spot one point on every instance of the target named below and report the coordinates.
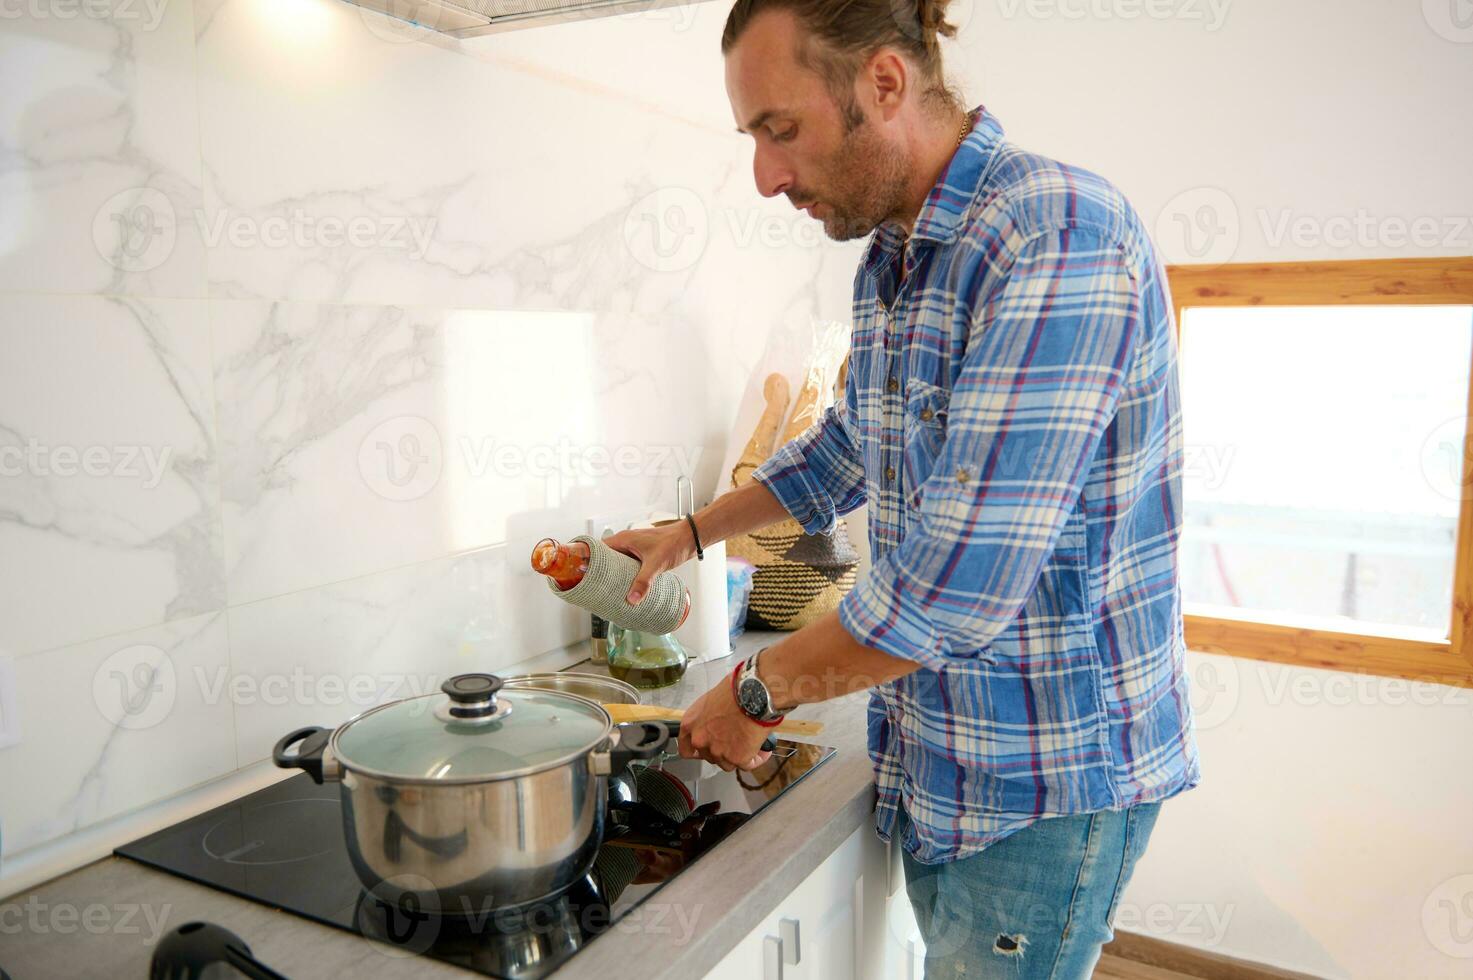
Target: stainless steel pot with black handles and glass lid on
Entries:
(474, 799)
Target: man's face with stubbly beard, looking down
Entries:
(830, 161)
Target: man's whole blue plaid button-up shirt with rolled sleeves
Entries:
(1013, 422)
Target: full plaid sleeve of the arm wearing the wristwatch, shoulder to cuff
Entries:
(1050, 351)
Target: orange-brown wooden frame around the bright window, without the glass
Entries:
(1351, 284)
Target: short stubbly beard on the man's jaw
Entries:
(864, 185)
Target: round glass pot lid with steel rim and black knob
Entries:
(472, 732)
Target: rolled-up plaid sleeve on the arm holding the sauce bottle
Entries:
(820, 475)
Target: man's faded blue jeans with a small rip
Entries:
(1035, 906)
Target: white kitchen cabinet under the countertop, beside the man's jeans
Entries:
(832, 928)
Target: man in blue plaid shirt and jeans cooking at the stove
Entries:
(1013, 421)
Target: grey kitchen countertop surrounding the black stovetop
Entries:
(108, 914)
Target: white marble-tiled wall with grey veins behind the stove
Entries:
(310, 325)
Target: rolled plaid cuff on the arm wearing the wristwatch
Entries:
(885, 612)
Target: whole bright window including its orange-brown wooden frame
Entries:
(1329, 463)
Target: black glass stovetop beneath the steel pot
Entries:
(284, 847)
